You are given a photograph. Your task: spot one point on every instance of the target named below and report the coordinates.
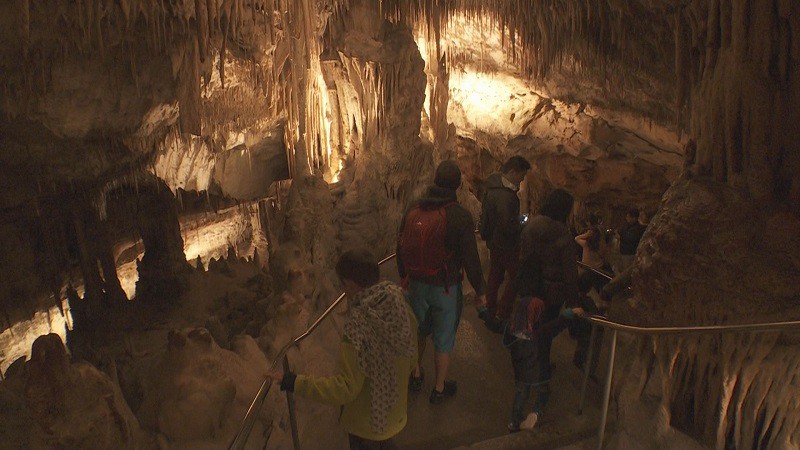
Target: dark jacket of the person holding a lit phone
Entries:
(500, 225)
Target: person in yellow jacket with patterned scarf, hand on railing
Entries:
(376, 355)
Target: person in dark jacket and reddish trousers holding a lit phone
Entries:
(500, 227)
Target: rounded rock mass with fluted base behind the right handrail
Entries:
(726, 390)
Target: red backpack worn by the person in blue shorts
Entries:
(422, 242)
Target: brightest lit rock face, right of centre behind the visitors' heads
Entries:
(610, 158)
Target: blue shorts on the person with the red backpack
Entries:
(438, 311)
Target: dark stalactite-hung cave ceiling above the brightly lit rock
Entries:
(92, 89)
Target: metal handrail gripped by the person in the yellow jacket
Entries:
(243, 434)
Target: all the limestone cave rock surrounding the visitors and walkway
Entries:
(136, 134)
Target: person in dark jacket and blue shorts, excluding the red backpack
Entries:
(437, 300)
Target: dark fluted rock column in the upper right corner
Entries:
(740, 75)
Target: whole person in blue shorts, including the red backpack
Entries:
(435, 243)
